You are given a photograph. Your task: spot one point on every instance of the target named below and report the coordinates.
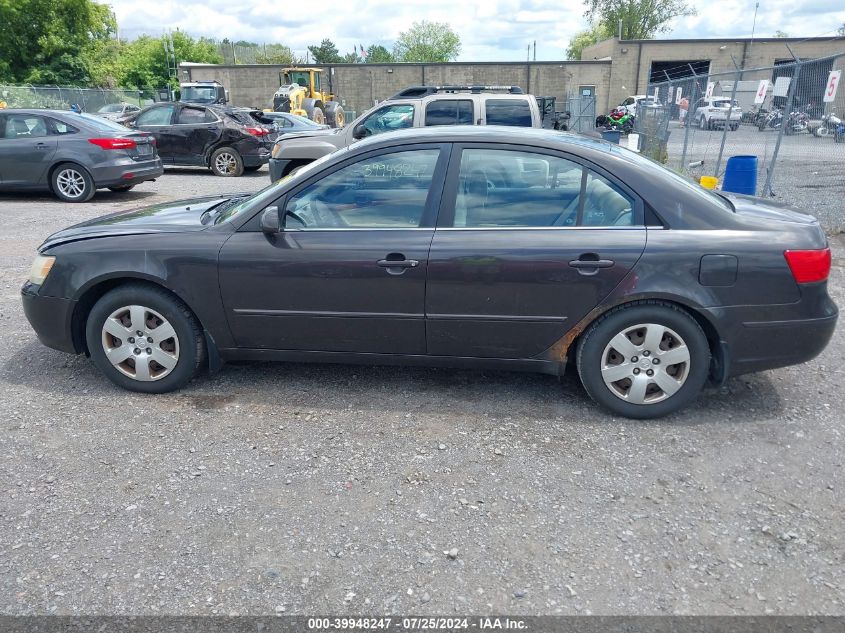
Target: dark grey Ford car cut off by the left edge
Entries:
(72, 154)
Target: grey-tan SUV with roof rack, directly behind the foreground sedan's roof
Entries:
(417, 106)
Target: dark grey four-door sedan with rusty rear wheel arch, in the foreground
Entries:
(466, 247)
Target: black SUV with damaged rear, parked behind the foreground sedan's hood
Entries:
(227, 141)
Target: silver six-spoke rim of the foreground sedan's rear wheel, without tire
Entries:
(645, 363)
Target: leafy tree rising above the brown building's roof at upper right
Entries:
(641, 19)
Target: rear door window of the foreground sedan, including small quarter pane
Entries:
(504, 188)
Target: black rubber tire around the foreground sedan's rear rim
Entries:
(593, 344)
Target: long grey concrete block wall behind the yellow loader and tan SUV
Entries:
(359, 86)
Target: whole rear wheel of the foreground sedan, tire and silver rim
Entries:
(644, 361)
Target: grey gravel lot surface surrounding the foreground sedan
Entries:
(274, 488)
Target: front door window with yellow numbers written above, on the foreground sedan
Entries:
(385, 191)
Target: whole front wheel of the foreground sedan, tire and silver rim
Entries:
(144, 339)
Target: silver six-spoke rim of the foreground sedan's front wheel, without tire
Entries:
(140, 343)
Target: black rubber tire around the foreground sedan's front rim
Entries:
(190, 348)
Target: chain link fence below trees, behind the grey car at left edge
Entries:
(62, 97)
